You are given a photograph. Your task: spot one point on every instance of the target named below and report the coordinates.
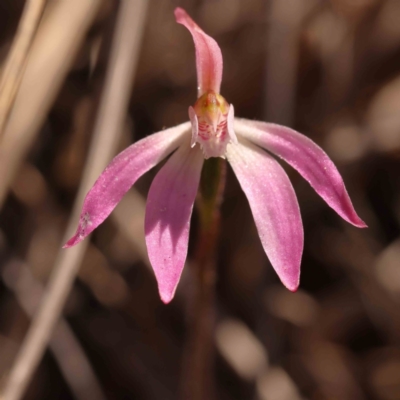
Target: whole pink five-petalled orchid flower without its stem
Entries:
(249, 147)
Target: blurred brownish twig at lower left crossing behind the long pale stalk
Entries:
(66, 348)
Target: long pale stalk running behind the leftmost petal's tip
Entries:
(107, 131)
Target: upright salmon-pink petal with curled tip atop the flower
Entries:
(208, 55)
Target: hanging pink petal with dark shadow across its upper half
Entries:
(168, 211)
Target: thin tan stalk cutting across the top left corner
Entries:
(15, 62)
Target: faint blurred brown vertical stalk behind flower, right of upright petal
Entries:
(284, 22)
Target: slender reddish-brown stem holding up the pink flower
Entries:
(197, 381)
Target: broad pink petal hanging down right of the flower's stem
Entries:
(274, 206)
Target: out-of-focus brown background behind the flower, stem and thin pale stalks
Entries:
(329, 69)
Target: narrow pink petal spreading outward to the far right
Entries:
(307, 158)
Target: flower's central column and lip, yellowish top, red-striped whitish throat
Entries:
(212, 124)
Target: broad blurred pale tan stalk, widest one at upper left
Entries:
(56, 43)
